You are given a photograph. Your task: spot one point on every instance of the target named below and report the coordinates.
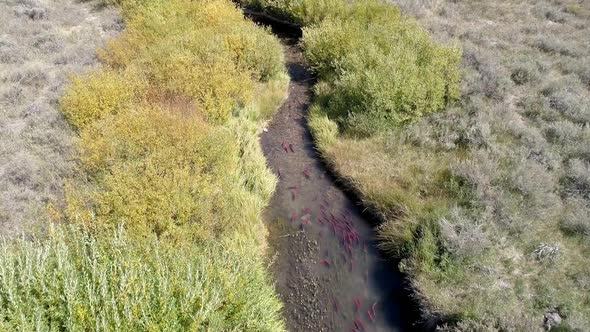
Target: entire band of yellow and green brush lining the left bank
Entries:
(168, 149)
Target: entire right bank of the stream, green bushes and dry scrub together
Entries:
(469, 141)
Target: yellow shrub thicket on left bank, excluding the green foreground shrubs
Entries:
(165, 165)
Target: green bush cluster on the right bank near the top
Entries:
(377, 68)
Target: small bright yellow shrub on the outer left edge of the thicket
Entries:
(99, 93)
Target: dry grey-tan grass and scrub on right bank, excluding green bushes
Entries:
(489, 201)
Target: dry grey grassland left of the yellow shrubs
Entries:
(41, 44)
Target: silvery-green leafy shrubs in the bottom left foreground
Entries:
(77, 281)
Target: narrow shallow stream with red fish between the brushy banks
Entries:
(329, 273)
